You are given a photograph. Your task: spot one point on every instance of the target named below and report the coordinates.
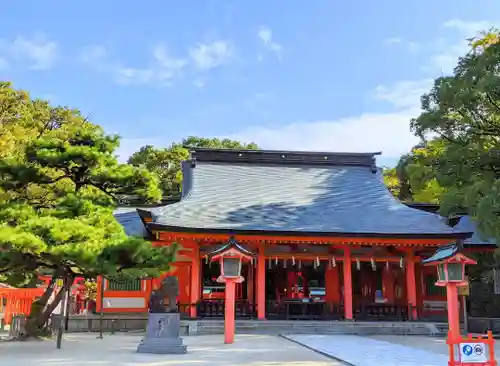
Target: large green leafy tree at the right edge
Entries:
(463, 111)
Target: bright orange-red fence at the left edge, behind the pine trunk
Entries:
(17, 301)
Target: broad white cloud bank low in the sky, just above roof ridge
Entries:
(386, 132)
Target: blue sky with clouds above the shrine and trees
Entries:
(286, 74)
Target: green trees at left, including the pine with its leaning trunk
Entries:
(60, 180)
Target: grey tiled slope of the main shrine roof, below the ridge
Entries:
(302, 199)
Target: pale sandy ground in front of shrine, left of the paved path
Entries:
(119, 350)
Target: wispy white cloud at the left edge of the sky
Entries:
(39, 51)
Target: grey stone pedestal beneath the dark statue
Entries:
(162, 335)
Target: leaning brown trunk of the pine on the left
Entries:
(42, 309)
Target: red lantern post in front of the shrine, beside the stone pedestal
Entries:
(230, 256)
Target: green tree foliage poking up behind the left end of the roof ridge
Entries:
(166, 162)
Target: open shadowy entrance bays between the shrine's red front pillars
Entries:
(310, 290)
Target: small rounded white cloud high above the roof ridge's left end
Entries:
(209, 55)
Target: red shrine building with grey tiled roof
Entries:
(328, 239)
